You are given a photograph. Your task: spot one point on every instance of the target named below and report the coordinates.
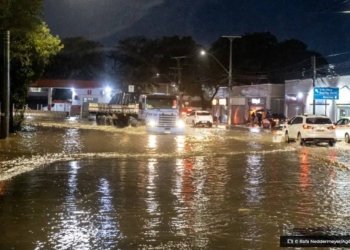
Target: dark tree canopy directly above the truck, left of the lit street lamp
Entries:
(137, 60)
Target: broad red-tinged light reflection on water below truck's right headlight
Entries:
(192, 202)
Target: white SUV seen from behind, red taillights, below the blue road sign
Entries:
(310, 129)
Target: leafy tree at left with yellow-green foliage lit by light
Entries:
(31, 46)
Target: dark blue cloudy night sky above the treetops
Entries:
(323, 25)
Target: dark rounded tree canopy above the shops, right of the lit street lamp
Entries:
(260, 57)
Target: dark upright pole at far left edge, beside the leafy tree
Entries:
(5, 84)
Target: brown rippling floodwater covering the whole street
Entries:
(125, 189)
